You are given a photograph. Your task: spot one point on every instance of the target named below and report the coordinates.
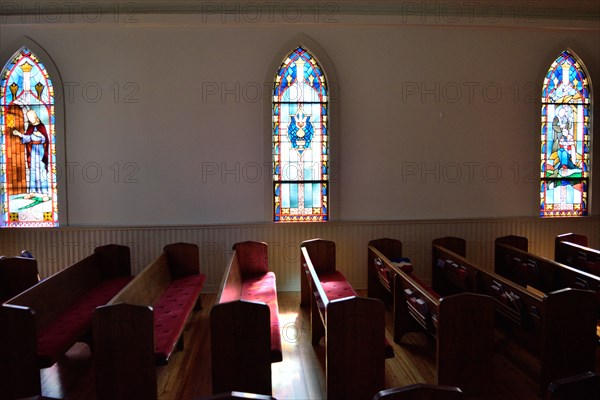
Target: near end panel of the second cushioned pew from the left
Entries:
(124, 352)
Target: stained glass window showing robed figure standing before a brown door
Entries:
(28, 194)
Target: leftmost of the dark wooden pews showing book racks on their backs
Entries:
(462, 325)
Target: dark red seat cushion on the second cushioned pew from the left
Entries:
(171, 312)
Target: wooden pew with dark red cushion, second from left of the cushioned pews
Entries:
(142, 326)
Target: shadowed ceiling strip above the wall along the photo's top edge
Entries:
(563, 9)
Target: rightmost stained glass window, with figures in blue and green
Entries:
(566, 130)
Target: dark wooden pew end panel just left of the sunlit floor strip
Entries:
(241, 347)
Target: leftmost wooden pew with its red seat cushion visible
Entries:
(40, 324)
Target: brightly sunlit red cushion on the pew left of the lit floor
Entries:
(262, 288)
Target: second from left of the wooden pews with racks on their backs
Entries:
(558, 328)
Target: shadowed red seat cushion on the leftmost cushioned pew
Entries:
(59, 335)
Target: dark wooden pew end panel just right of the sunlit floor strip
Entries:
(354, 346)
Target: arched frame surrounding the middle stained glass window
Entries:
(332, 166)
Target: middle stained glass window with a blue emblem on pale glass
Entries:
(300, 140)
